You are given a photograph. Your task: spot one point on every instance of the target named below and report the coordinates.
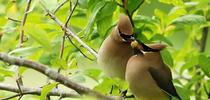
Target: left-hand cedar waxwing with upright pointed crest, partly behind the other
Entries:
(116, 50)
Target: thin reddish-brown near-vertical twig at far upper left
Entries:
(23, 23)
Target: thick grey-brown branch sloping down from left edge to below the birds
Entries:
(52, 75)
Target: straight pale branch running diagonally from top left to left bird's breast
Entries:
(68, 31)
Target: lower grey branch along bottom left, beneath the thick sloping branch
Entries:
(34, 91)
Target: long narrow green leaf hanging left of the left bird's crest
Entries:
(92, 18)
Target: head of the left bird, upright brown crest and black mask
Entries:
(125, 28)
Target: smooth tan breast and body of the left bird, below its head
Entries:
(113, 57)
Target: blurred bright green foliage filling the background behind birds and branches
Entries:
(177, 23)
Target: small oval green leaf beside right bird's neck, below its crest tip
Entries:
(167, 57)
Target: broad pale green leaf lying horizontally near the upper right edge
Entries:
(189, 20)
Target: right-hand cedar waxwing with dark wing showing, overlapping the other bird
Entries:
(147, 75)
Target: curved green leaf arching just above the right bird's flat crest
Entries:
(159, 37)
